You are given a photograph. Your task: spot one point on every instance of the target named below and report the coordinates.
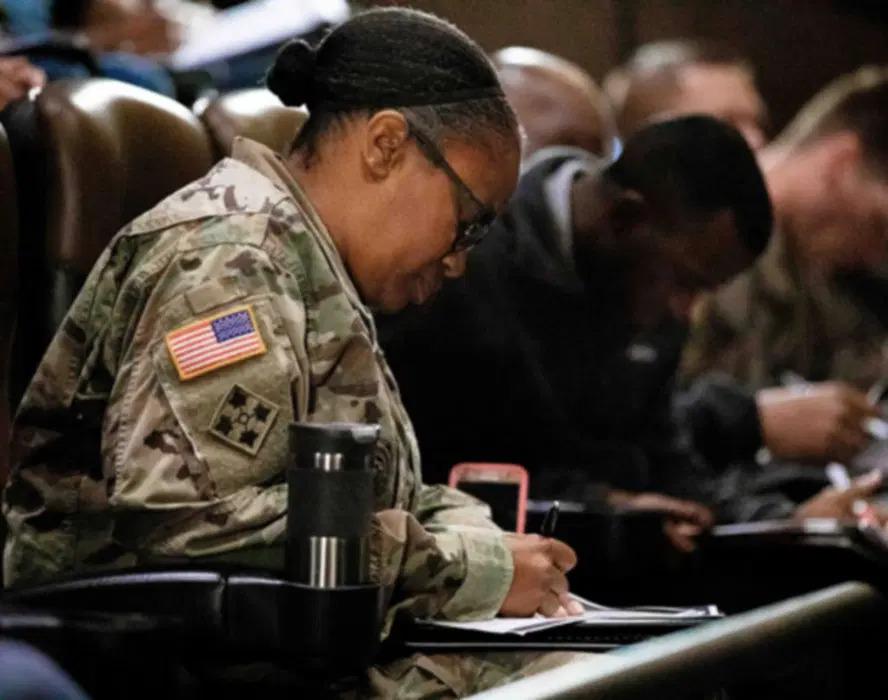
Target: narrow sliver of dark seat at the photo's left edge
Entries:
(8, 253)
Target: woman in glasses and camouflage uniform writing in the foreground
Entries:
(156, 426)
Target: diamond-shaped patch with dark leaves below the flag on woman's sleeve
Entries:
(243, 419)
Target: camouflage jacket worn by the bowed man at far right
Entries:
(776, 318)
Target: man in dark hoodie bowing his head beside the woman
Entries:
(555, 332)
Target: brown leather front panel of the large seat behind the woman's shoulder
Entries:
(115, 151)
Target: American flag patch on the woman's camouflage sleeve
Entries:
(211, 343)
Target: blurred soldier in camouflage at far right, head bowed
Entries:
(828, 177)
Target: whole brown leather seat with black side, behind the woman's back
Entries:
(90, 155)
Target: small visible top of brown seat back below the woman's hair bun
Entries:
(256, 114)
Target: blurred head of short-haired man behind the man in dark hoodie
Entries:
(664, 79)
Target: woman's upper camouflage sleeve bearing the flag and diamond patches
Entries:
(197, 429)
